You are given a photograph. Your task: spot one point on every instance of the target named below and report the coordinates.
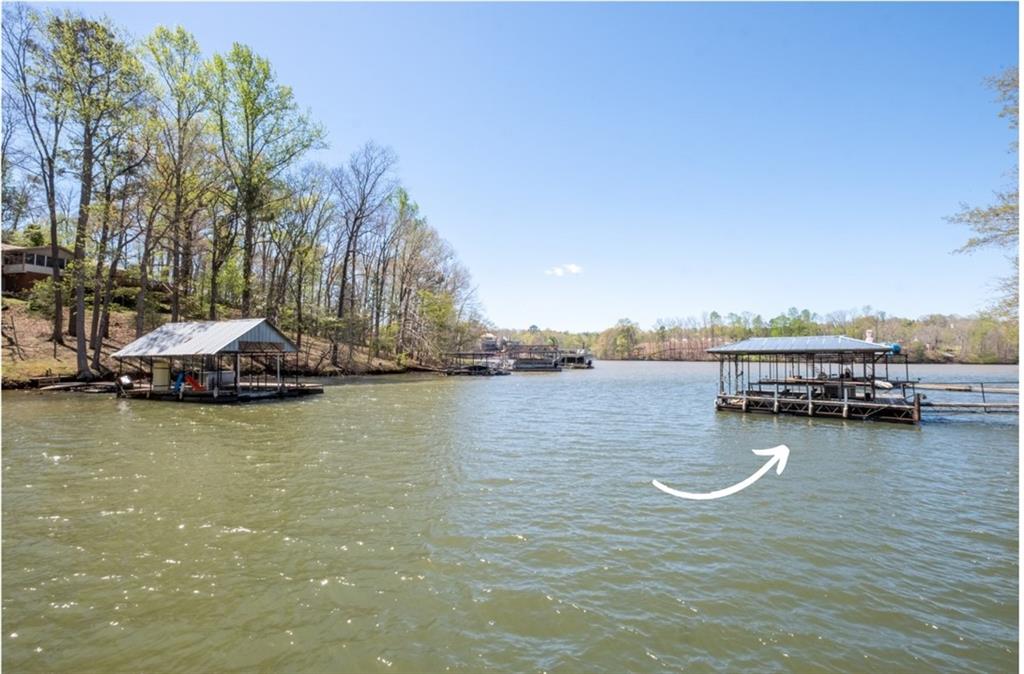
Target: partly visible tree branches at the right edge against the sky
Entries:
(998, 226)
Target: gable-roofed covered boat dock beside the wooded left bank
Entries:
(214, 362)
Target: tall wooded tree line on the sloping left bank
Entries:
(188, 179)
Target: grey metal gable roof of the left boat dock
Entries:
(209, 339)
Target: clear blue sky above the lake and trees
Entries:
(681, 157)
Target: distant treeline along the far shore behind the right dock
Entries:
(935, 339)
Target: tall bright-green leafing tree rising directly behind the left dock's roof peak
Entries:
(262, 134)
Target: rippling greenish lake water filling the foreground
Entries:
(509, 524)
